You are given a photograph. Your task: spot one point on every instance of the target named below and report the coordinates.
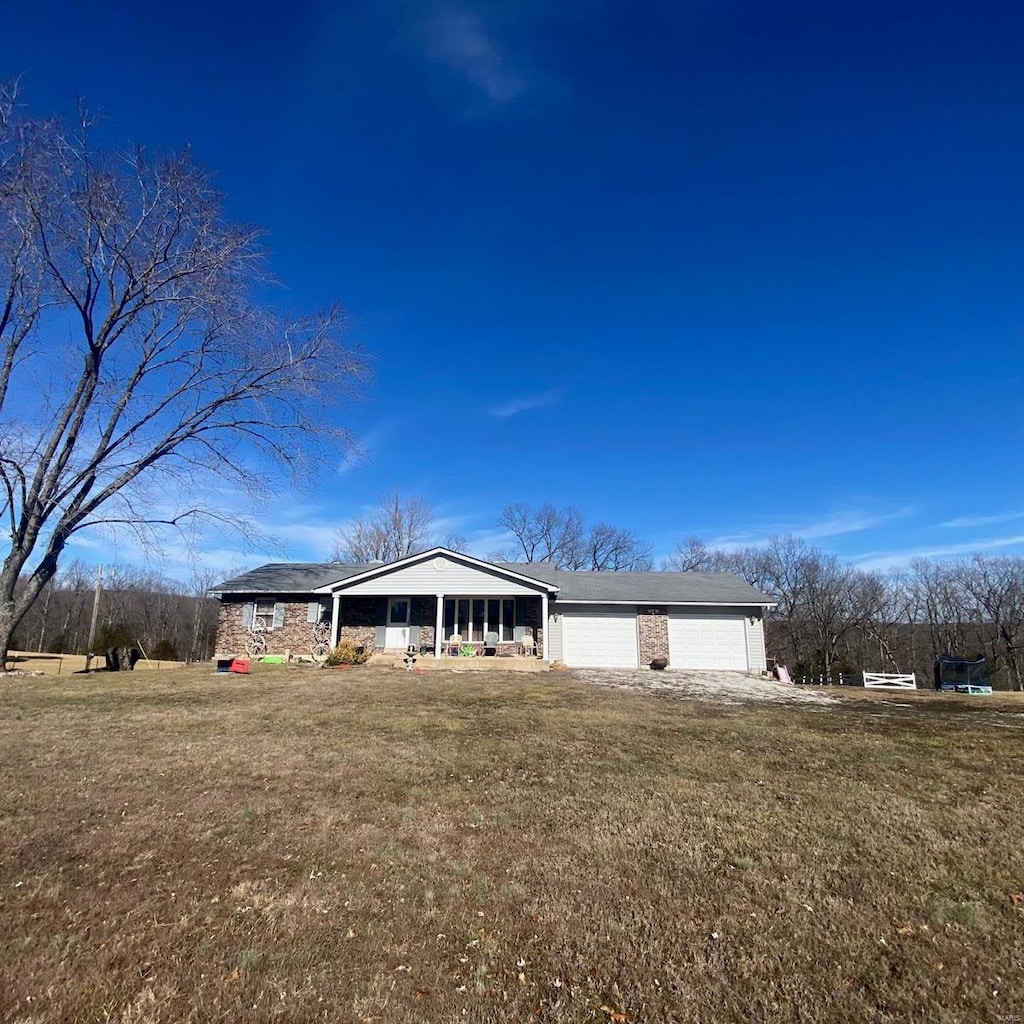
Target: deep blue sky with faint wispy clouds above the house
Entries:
(727, 270)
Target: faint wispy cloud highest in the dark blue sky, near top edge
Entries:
(458, 39)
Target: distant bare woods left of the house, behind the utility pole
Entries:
(166, 620)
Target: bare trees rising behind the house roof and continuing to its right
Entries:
(831, 618)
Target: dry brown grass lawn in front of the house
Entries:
(307, 845)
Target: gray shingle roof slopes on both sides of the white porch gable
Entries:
(635, 588)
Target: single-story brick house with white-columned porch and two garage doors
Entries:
(599, 620)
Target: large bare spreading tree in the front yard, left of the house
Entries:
(134, 360)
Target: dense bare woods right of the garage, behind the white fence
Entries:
(833, 618)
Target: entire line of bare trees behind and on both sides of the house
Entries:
(832, 618)
